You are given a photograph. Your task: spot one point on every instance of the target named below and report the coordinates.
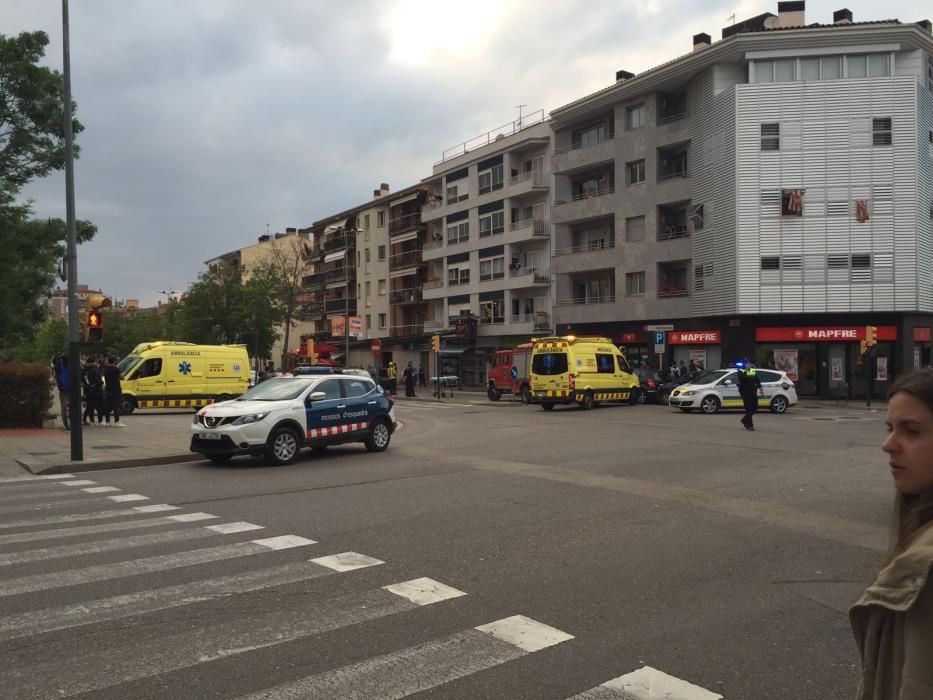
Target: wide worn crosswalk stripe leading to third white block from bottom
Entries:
(139, 658)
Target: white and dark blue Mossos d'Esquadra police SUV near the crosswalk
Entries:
(278, 417)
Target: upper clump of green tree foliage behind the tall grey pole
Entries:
(32, 114)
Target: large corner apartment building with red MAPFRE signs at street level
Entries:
(768, 195)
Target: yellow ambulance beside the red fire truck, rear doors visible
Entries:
(585, 371)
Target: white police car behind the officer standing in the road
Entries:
(719, 389)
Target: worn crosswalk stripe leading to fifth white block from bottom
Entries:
(106, 572)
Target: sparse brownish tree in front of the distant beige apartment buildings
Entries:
(282, 273)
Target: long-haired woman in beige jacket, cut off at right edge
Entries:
(893, 620)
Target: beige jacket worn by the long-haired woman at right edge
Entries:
(893, 626)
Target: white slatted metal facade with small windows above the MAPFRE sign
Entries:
(826, 150)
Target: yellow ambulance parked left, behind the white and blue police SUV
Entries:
(169, 374)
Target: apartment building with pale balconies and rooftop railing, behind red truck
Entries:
(488, 261)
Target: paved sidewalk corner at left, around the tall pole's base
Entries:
(149, 438)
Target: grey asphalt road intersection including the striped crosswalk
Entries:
(629, 537)
